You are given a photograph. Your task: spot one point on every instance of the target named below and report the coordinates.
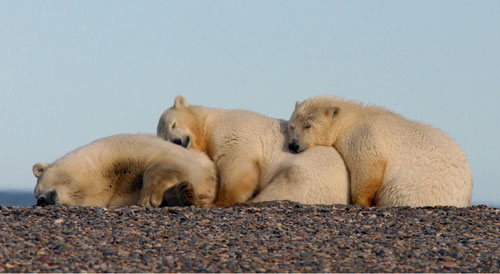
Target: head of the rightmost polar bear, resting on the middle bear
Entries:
(315, 121)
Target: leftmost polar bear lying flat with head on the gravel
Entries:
(127, 169)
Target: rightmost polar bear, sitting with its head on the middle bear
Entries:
(392, 161)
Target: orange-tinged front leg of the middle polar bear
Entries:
(238, 181)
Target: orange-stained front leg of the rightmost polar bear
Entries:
(366, 180)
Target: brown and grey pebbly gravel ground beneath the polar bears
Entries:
(265, 237)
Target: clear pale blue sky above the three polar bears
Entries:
(75, 71)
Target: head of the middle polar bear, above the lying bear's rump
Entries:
(180, 125)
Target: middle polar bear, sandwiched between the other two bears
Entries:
(250, 153)
